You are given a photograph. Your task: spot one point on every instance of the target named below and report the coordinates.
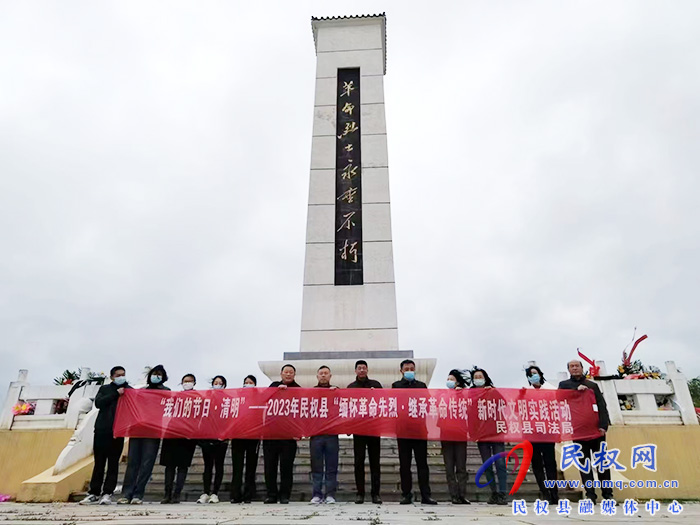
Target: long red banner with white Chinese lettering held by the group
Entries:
(504, 414)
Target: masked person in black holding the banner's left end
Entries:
(106, 448)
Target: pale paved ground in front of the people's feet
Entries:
(297, 513)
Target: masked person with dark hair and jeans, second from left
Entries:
(142, 451)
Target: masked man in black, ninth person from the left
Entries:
(415, 447)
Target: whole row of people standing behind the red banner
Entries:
(279, 455)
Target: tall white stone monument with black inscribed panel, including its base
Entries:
(349, 300)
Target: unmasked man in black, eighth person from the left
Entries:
(373, 444)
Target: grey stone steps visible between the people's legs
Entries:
(390, 491)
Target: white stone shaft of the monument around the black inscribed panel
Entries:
(340, 318)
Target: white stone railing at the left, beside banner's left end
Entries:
(45, 398)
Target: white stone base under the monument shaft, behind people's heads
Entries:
(383, 366)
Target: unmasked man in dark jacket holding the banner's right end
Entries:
(578, 381)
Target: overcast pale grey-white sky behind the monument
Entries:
(154, 171)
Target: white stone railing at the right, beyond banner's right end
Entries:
(647, 401)
